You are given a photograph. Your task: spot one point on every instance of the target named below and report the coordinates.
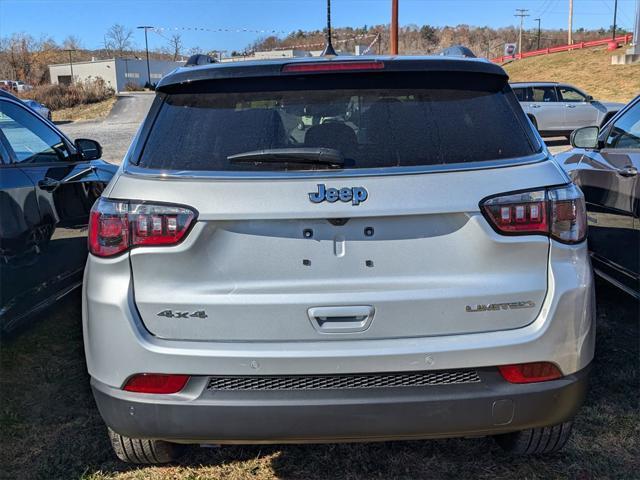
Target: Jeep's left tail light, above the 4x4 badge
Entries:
(115, 226)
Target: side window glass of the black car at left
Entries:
(31, 139)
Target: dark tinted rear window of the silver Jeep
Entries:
(373, 120)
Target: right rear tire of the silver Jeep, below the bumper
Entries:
(536, 441)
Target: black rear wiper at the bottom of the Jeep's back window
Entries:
(317, 156)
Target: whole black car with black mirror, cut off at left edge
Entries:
(47, 187)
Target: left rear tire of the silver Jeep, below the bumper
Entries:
(140, 450)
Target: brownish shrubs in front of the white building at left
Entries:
(57, 97)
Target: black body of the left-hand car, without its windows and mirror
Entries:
(44, 229)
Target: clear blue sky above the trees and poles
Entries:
(90, 19)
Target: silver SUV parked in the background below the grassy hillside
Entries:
(556, 109)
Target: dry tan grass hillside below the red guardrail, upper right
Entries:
(589, 69)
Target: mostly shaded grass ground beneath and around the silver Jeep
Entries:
(50, 428)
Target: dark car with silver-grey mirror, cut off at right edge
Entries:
(605, 164)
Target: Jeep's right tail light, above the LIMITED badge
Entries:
(557, 212)
